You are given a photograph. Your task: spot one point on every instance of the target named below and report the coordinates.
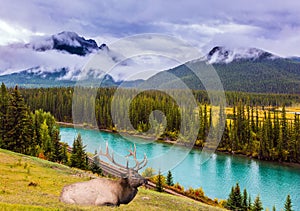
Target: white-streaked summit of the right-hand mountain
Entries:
(221, 54)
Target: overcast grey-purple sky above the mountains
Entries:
(272, 25)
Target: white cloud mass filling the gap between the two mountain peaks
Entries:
(141, 56)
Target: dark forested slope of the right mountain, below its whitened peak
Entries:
(261, 76)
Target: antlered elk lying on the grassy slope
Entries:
(103, 191)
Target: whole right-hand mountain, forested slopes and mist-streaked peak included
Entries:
(246, 70)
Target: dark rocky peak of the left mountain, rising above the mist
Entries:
(65, 41)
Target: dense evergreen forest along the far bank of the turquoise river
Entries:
(257, 124)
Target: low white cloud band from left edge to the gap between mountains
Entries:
(132, 58)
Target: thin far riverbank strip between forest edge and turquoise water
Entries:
(170, 142)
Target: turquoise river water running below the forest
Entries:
(273, 182)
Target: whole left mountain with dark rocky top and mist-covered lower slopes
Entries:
(59, 58)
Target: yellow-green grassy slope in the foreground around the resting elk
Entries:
(18, 171)
